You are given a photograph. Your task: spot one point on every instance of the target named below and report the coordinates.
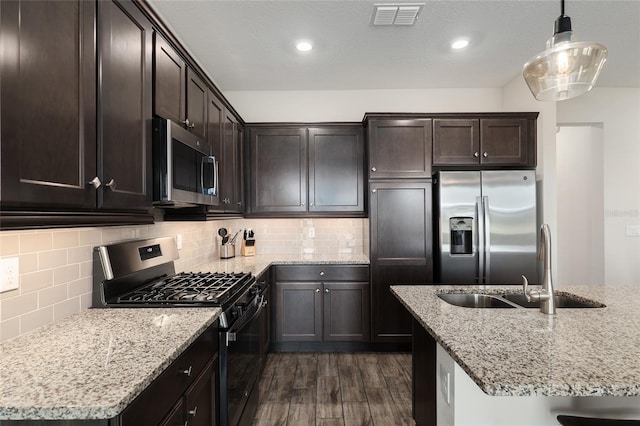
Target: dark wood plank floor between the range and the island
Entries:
(327, 389)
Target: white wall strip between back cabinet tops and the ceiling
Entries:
(351, 105)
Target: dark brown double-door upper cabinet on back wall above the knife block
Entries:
(307, 171)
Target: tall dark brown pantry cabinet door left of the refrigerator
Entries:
(401, 252)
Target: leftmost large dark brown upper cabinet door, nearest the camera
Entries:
(48, 103)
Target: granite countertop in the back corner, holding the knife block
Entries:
(261, 262)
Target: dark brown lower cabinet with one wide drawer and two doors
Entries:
(331, 310)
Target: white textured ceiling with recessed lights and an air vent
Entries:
(249, 45)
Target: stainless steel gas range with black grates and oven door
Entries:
(142, 274)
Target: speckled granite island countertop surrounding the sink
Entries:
(577, 352)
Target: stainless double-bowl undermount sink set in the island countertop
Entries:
(513, 300)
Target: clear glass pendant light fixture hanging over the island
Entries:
(567, 68)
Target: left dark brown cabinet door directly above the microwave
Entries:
(170, 75)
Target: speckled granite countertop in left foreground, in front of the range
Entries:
(93, 364)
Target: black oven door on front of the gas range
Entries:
(243, 360)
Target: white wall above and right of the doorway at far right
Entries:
(617, 110)
